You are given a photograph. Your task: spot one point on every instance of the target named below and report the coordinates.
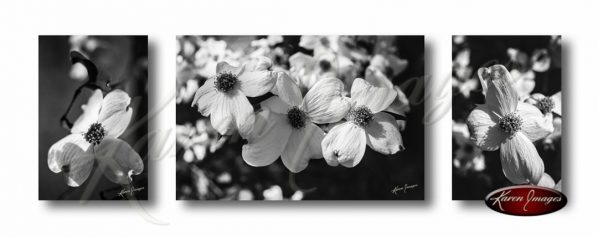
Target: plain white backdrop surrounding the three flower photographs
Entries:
(22, 21)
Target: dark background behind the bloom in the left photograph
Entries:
(124, 58)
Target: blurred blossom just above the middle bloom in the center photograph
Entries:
(308, 70)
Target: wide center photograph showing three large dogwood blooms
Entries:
(300, 117)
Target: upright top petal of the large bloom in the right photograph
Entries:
(501, 93)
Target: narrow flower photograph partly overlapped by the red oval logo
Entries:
(507, 118)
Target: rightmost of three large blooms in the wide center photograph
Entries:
(366, 124)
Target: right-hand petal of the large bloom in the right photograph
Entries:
(535, 125)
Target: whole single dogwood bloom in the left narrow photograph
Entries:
(94, 136)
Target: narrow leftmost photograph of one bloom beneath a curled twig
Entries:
(93, 108)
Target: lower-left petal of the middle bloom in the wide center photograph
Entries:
(267, 140)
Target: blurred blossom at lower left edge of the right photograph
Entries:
(466, 156)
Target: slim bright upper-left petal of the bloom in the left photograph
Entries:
(90, 114)
